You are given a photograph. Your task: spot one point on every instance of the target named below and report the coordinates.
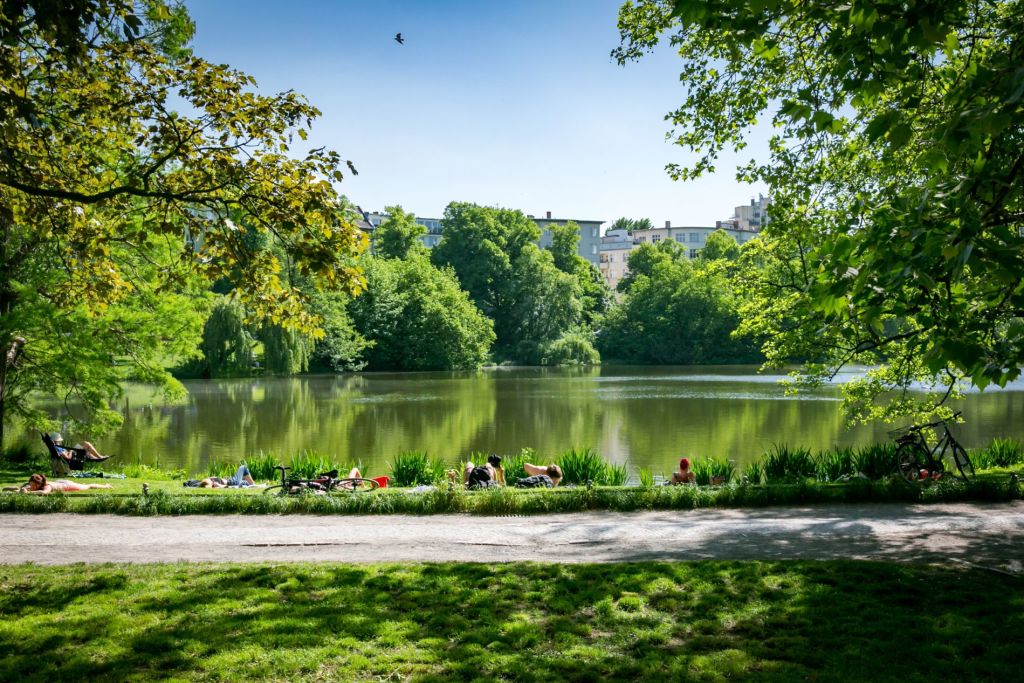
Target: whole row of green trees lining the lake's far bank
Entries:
(489, 294)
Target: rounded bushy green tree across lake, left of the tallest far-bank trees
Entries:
(416, 318)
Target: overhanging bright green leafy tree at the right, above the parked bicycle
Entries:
(897, 179)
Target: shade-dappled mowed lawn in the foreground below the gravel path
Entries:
(839, 621)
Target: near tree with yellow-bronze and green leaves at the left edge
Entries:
(121, 152)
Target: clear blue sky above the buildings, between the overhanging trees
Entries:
(516, 104)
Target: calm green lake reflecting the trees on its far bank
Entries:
(648, 417)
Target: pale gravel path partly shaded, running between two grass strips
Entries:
(989, 536)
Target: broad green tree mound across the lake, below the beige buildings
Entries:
(674, 312)
